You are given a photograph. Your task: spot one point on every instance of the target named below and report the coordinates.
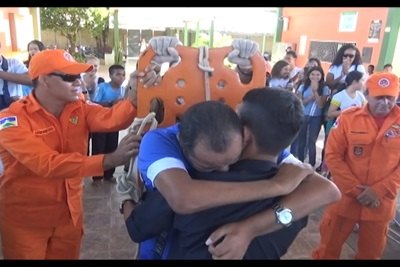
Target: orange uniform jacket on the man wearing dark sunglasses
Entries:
(45, 159)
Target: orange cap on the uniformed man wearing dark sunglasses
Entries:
(55, 60)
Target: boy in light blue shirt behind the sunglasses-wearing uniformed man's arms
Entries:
(107, 94)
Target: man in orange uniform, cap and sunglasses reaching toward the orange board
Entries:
(43, 145)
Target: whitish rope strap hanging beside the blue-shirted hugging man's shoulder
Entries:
(128, 183)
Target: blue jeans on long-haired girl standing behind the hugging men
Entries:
(309, 135)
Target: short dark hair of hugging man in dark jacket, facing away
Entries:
(273, 116)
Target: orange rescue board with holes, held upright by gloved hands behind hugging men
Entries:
(184, 84)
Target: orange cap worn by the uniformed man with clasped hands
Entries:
(383, 84)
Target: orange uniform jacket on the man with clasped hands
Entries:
(358, 153)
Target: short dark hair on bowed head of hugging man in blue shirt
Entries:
(212, 121)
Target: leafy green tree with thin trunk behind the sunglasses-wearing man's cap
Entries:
(66, 21)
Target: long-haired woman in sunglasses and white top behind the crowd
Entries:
(347, 59)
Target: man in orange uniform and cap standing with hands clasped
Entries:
(363, 156)
